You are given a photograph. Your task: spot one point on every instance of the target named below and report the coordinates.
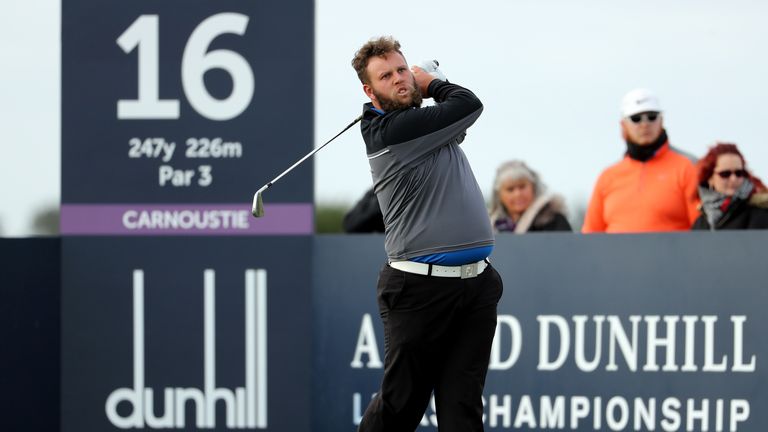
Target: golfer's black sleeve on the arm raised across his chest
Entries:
(453, 103)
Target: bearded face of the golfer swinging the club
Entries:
(391, 79)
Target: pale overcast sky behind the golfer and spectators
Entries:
(550, 74)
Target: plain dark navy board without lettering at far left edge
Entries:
(30, 332)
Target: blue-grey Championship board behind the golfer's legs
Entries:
(647, 333)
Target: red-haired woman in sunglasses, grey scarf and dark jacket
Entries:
(731, 197)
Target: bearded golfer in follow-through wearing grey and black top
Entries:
(437, 295)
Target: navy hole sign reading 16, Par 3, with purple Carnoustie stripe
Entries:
(168, 127)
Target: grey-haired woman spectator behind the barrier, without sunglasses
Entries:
(521, 203)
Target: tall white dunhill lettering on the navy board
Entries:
(246, 407)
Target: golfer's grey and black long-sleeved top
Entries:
(427, 192)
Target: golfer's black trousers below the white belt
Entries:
(437, 337)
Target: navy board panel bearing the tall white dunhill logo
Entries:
(185, 334)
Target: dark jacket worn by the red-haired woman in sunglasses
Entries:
(740, 214)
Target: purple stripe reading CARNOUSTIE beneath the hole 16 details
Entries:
(185, 219)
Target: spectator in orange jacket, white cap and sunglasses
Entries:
(653, 188)
